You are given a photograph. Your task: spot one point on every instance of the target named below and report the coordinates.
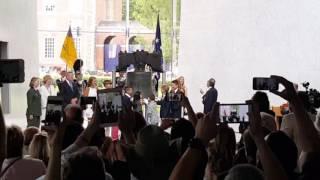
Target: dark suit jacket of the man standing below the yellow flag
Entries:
(69, 93)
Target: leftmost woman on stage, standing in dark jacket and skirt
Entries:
(34, 103)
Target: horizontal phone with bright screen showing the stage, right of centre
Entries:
(234, 113)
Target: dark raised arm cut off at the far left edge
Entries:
(3, 137)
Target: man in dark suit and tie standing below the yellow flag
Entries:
(70, 91)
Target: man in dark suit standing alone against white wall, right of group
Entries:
(210, 97)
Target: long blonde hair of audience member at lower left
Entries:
(39, 147)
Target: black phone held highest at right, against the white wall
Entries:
(263, 83)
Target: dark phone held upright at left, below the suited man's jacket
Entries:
(54, 111)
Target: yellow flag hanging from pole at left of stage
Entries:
(68, 51)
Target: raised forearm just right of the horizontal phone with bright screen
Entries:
(271, 165)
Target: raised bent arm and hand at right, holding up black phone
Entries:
(307, 133)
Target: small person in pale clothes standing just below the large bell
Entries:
(153, 117)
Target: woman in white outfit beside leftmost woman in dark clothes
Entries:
(46, 90)
